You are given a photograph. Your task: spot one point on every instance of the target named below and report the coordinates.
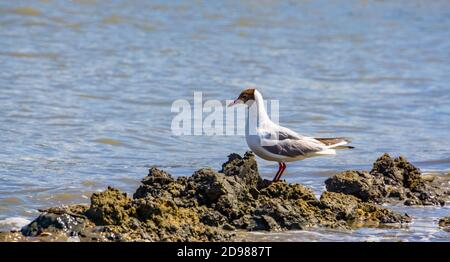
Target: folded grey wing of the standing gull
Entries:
(294, 147)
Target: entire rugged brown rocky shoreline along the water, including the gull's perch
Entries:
(213, 205)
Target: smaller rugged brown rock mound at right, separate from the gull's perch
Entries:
(389, 179)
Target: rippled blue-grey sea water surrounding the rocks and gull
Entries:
(86, 89)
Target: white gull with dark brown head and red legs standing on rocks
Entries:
(276, 143)
